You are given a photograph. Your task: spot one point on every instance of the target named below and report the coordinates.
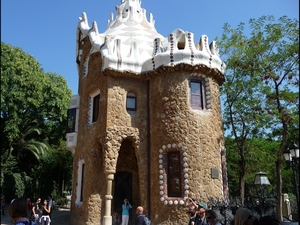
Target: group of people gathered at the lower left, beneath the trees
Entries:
(23, 212)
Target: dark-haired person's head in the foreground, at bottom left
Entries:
(18, 212)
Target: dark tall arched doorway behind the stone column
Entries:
(126, 183)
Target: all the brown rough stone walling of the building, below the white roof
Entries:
(171, 121)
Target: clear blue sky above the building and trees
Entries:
(47, 29)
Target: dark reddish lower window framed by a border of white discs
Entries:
(174, 175)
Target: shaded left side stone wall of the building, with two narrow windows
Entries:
(89, 145)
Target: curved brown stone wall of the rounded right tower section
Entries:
(200, 132)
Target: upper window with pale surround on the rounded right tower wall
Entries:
(197, 91)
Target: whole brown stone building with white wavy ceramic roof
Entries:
(146, 124)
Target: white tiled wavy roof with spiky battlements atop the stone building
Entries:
(131, 43)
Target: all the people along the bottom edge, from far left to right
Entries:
(23, 212)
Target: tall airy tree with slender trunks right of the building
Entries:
(261, 89)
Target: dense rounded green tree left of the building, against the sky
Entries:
(33, 111)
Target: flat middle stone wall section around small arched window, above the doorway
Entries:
(122, 124)
